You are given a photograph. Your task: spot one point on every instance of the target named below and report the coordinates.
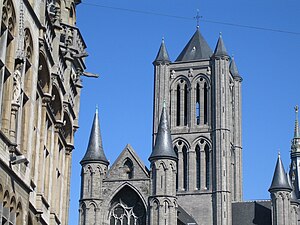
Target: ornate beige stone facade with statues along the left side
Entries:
(41, 58)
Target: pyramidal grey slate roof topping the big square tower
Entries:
(196, 49)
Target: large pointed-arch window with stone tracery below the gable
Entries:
(127, 208)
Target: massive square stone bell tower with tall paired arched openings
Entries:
(202, 90)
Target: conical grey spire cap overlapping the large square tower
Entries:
(163, 148)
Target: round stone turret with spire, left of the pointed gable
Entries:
(94, 167)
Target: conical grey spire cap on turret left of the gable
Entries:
(94, 152)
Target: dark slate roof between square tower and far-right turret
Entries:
(250, 213)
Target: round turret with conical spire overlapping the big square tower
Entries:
(162, 199)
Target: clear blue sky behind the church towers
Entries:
(122, 45)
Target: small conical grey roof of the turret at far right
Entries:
(279, 181)
